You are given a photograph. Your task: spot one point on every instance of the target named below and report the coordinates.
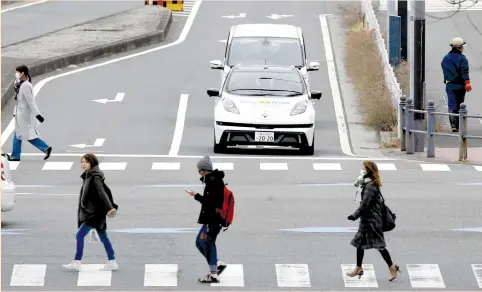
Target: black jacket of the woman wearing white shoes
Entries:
(93, 200)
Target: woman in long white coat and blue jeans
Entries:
(27, 116)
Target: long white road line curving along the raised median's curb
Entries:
(182, 37)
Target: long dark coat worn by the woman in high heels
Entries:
(370, 232)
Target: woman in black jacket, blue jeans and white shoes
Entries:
(93, 207)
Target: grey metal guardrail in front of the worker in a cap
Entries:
(406, 128)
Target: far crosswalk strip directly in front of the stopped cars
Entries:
(237, 164)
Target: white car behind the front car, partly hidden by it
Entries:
(265, 44)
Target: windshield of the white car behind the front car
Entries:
(265, 51)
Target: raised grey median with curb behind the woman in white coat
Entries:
(100, 38)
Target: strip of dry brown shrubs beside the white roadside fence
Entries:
(365, 68)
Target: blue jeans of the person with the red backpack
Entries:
(206, 244)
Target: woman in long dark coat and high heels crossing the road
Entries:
(370, 232)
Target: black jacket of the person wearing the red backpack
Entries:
(212, 198)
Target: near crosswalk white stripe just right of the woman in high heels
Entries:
(425, 276)
